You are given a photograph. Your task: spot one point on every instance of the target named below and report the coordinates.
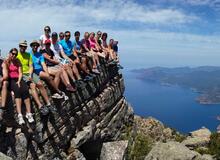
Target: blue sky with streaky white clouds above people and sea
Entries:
(150, 32)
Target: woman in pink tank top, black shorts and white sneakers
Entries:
(18, 86)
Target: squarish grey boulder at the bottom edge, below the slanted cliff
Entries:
(114, 150)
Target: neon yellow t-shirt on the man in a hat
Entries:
(25, 60)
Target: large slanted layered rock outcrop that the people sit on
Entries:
(92, 116)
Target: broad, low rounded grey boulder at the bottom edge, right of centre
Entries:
(172, 151)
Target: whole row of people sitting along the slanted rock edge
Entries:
(52, 59)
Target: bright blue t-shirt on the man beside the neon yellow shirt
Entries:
(37, 59)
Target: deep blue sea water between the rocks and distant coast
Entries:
(173, 105)
